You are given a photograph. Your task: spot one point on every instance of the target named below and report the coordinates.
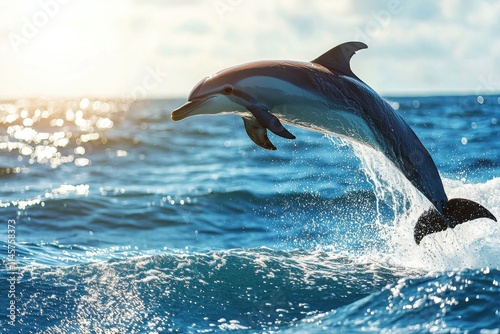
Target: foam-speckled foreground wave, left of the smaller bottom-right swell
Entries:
(254, 289)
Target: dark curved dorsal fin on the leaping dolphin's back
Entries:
(337, 59)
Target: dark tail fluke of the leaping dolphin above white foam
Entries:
(455, 212)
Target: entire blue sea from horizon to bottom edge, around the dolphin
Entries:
(116, 219)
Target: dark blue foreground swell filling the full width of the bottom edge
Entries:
(259, 289)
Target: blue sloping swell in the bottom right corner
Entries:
(454, 302)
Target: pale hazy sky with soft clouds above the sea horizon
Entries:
(162, 48)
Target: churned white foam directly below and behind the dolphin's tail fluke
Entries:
(470, 245)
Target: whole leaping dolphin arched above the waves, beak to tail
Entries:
(324, 95)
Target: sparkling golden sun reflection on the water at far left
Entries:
(53, 132)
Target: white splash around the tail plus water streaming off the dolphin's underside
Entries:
(470, 245)
